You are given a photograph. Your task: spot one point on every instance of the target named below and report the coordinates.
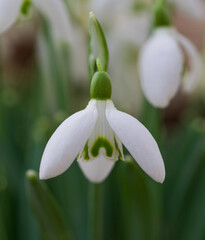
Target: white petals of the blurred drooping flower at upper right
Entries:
(161, 65)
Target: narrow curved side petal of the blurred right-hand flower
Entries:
(193, 75)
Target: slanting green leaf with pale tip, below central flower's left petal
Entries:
(46, 209)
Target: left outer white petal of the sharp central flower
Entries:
(67, 141)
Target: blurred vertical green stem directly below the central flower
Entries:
(95, 214)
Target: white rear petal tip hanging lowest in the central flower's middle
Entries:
(96, 170)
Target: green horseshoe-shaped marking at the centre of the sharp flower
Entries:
(102, 142)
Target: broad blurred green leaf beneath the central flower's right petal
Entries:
(140, 210)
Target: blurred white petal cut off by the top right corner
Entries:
(194, 8)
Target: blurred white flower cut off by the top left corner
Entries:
(53, 10)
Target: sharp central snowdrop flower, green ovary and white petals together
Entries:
(96, 135)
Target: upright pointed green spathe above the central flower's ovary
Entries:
(97, 46)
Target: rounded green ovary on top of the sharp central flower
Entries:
(101, 88)
